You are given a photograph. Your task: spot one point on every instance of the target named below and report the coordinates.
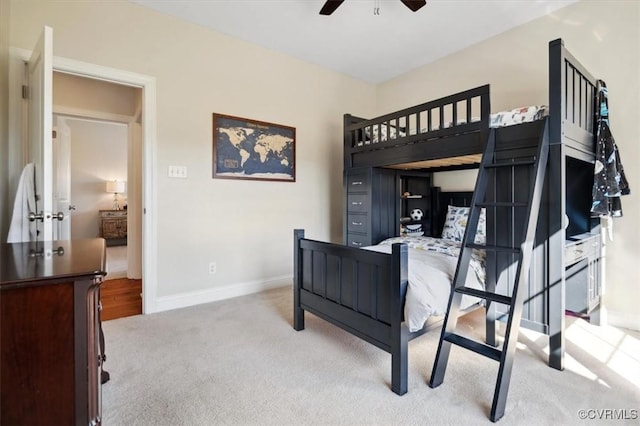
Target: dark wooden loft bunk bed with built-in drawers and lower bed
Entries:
(364, 292)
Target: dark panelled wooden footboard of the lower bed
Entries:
(360, 291)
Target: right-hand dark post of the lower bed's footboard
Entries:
(399, 331)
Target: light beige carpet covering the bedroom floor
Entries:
(239, 362)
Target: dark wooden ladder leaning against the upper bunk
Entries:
(521, 243)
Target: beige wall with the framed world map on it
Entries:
(245, 226)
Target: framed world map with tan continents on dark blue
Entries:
(250, 149)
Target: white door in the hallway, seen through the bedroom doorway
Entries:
(61, 155)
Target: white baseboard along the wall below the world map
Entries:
(185, 300)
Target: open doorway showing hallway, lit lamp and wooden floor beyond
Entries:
(99, 124)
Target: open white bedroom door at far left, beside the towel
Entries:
(40, 101)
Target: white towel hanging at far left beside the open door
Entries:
(21, 229)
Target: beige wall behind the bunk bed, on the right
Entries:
(605, 37)
